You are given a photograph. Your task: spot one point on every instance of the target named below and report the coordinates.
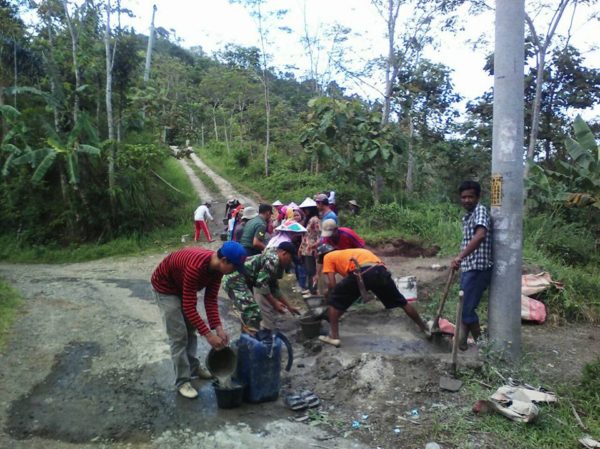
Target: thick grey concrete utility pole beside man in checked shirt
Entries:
(507, 178)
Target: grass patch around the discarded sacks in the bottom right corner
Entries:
(556, 426)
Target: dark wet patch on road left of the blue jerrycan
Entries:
(76, 406)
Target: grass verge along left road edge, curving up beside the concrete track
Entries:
(163, 238)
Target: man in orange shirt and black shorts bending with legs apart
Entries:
(375, 277)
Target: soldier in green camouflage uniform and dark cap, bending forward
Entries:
(262, 274)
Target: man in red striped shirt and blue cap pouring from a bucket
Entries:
(175, 283)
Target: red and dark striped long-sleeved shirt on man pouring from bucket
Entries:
(184, 273)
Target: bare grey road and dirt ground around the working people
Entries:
(87, 366)
